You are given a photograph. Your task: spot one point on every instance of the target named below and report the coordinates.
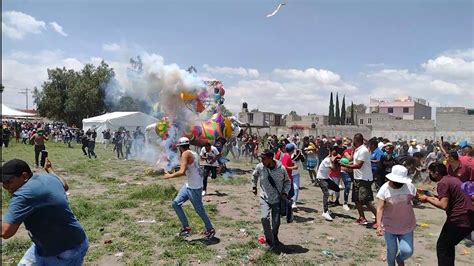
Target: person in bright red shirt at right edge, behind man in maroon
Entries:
(461, 167)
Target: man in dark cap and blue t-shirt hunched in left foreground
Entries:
(40, 202)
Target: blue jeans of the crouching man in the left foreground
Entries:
(70, 257)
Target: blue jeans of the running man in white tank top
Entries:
(195, 196)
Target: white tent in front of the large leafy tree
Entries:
(113, 121)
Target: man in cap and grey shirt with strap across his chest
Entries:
(275, 185)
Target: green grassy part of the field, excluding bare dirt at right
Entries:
(109, 196)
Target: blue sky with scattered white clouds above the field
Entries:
(373, 48)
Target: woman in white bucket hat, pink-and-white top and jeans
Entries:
(395, 215)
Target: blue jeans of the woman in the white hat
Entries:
(406, 247)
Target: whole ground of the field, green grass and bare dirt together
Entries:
(110, 196)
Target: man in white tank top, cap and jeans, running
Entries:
(191, 190)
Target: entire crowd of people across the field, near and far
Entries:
(366, 170)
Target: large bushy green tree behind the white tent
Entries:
(70, 95)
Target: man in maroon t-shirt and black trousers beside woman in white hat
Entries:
(459, 211)
